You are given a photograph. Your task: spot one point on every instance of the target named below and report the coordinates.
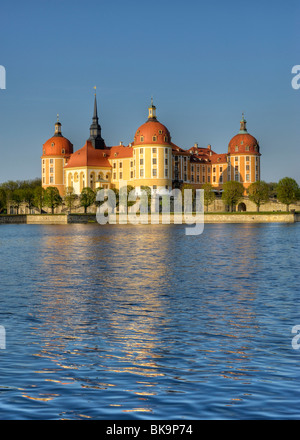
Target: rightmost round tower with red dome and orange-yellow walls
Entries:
(244, 157)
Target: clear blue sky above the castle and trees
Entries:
(204, 63)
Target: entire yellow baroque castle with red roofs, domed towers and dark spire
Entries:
(152, 160)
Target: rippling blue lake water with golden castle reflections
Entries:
(144, 322)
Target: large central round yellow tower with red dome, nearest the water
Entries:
(152, 153)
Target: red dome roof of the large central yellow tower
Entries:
(152, 132)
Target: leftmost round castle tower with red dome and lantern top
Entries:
(56, 152)
